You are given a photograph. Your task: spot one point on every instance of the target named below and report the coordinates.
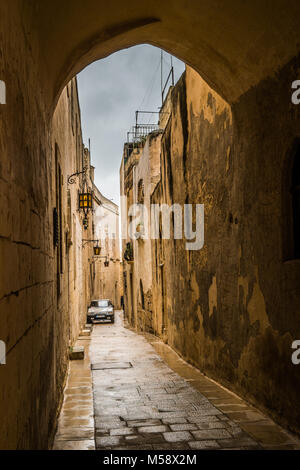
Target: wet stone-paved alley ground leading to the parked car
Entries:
(141, 395)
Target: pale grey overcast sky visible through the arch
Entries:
(110, 91)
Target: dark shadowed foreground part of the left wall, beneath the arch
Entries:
(32, 379)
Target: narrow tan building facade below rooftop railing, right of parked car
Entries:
(139, 174)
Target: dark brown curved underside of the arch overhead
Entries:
(233, 44)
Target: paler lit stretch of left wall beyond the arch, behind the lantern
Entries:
(74, 282)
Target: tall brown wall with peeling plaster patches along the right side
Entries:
(232, 307)
